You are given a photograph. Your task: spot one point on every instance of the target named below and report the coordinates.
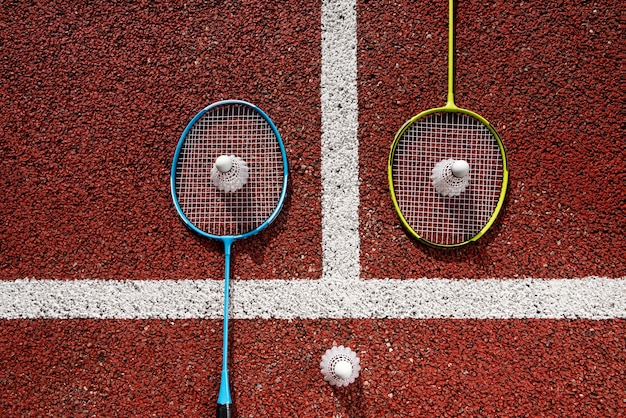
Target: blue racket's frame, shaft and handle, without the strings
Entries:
(224, 399)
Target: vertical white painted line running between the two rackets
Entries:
(340, 168)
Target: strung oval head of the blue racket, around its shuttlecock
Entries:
(229, 127)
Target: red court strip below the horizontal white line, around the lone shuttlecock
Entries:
(413, 368)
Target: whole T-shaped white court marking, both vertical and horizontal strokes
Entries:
(340, 293)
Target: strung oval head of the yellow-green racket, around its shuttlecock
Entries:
(429, 138)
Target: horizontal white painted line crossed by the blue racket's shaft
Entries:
(590, 298)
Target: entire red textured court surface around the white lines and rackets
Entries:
(94, 100)
